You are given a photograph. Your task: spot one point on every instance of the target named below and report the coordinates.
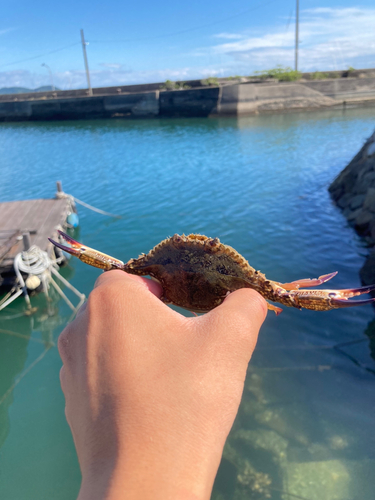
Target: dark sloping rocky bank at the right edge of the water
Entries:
(353, 191)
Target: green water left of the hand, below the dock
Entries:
(32, 420)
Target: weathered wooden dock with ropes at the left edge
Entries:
(40, 218)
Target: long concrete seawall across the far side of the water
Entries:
(227, 99)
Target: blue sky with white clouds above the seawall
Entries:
(153, 41)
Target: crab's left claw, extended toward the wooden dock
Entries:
(87, 254)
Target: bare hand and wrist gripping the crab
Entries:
(150, 394)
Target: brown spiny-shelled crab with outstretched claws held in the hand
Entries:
(197, 273)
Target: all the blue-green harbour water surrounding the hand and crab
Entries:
(305, 425)
